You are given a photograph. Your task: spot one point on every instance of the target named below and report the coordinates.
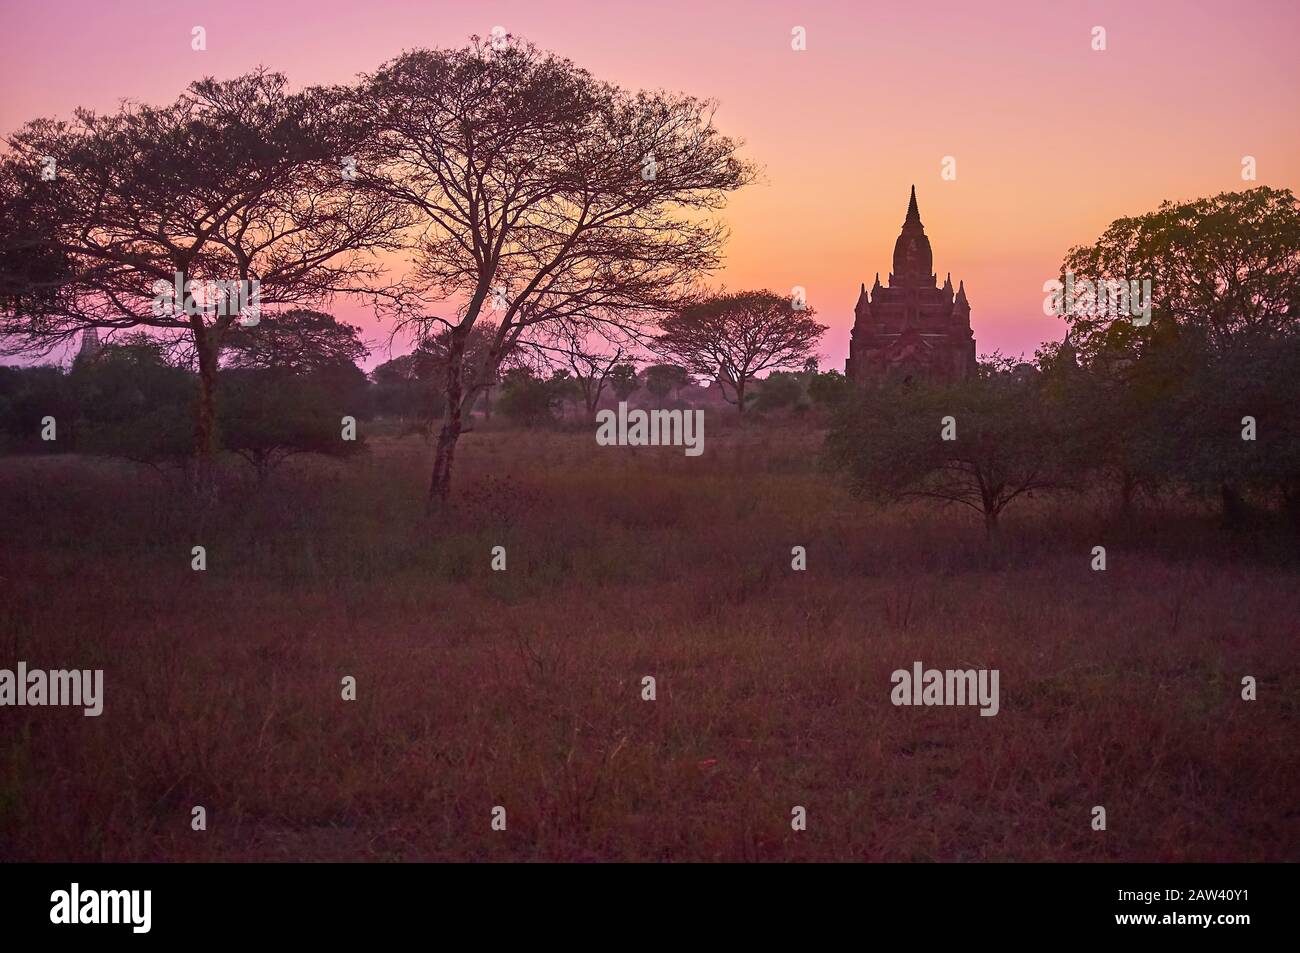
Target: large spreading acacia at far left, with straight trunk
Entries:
(236, 181)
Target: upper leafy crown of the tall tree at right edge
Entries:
(1223, 268)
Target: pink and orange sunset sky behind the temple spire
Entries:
(1052, 140)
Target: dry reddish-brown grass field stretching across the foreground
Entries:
(523, 688)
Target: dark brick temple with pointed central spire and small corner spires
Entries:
(913, 330)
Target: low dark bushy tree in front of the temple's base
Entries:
(1004, 444)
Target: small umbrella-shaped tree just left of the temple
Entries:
(733, 337)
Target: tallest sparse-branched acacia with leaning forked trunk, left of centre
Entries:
(545, 194)
